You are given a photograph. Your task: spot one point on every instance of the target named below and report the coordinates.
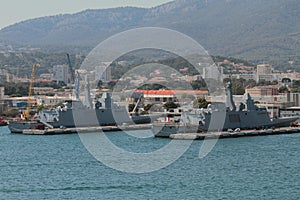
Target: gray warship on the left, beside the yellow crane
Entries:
(75, 114)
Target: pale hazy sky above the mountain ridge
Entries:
(12, 11)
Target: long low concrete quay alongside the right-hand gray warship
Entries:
(224, 135)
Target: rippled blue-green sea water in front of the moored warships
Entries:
(59, 167)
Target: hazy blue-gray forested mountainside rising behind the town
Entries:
(258, 30)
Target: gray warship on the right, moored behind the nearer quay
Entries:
(223, 117)
